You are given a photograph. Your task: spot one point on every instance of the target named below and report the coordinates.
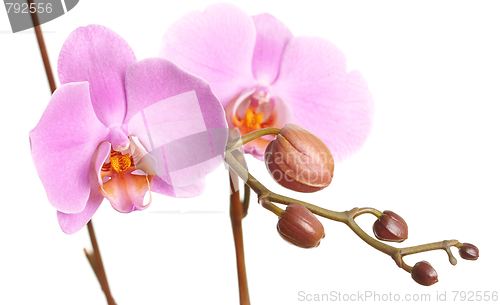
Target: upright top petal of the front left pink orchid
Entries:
(100, 56)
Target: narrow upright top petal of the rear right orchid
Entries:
(272, 37)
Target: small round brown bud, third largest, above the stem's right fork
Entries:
(390, 227)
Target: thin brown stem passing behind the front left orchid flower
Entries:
(94, 257)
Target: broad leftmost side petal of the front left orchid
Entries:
(62, 146)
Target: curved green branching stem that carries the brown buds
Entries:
(266, 197)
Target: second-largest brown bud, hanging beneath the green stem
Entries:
(297, 225)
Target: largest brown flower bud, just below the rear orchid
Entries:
(298, 160)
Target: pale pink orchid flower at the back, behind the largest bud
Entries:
(264, 76)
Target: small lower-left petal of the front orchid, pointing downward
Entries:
(72, 223)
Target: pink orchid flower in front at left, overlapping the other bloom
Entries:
(119, 128)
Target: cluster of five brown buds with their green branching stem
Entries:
(300, 161)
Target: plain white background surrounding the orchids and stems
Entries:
(433, 157)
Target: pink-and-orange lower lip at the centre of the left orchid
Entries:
(125, 191)
